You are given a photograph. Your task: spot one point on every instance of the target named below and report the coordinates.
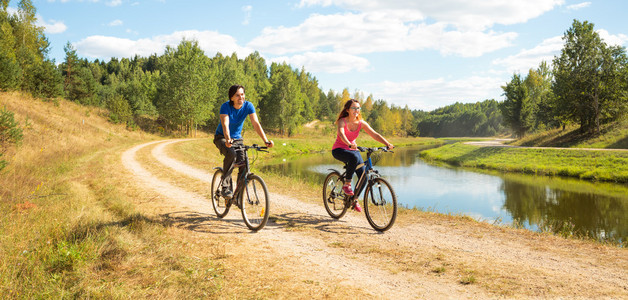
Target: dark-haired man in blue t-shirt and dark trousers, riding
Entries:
(232, 116)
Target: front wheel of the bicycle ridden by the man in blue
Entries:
(255, 203)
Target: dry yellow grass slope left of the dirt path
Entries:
(70, 227)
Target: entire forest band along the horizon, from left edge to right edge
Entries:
(182, 89)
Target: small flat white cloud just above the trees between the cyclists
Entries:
(329, 62)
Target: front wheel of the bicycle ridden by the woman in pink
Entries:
(380, 204)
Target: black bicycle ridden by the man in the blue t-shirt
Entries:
(250, 194)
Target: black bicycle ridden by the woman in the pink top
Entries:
(380, 201)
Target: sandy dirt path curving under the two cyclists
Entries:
(420, 258)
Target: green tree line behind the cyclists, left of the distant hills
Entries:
(182, 89)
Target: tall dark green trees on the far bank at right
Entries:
(586, 85)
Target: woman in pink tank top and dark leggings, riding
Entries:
(345, 149)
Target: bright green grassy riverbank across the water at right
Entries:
(594, 165)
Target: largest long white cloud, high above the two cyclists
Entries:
(376, 32)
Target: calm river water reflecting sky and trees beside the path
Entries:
(599, 210)
